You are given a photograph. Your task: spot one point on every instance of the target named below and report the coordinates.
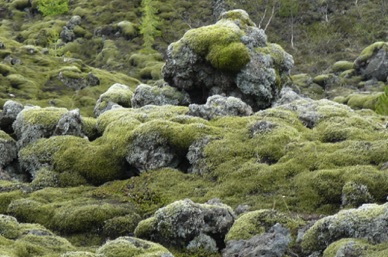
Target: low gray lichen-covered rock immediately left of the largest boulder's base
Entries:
(164, 95)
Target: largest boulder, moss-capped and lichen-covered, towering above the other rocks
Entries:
(231, 57)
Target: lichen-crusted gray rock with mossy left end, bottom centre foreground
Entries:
(181, 222)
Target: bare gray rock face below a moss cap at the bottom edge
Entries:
(274, 243)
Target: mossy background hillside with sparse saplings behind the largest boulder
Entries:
(108, 36)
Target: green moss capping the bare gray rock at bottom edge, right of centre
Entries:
(257, 222)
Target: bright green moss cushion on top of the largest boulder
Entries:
(218, 44)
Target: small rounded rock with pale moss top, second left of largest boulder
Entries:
(117, 94)
